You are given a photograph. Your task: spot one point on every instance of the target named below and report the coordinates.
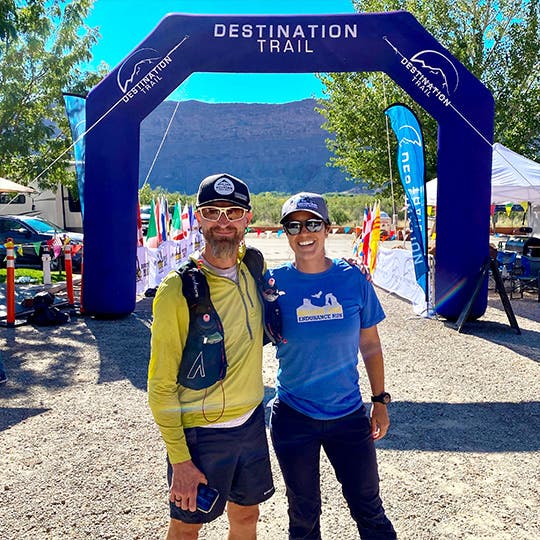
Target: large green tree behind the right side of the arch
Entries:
(498, 41)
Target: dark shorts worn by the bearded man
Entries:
(235, 461)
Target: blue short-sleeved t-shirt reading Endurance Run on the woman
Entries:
(322, 317)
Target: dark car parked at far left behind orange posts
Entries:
(32, 233)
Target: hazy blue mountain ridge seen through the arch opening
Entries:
(273, 147)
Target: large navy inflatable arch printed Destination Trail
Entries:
(394, 43)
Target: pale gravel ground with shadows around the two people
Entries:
(81, 457)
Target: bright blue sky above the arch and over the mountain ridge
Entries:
(123, 24)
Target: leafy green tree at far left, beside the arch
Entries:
(40, 57)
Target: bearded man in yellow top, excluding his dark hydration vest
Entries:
(214, 436)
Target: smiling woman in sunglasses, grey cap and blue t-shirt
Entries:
(329, 313)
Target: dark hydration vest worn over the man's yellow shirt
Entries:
(204, 361)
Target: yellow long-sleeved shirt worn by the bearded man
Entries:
(174, 406)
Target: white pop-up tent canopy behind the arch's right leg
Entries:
(514, 178)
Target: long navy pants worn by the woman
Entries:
(347, 442)
